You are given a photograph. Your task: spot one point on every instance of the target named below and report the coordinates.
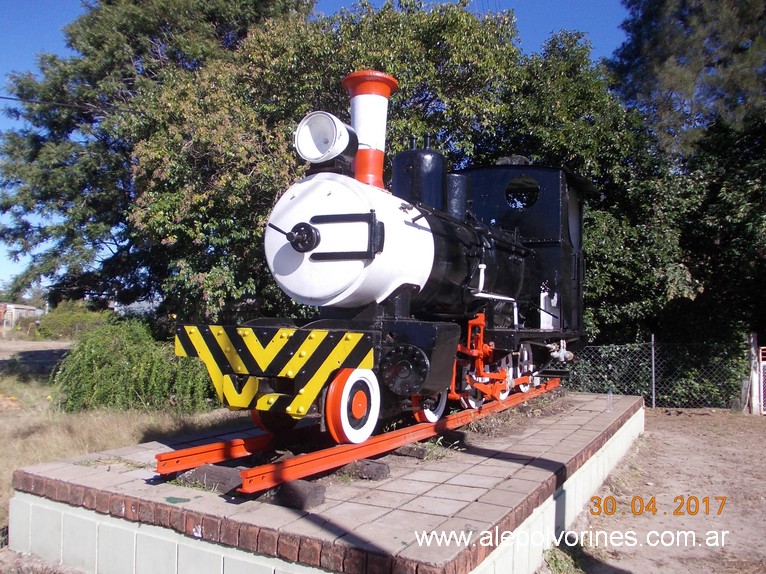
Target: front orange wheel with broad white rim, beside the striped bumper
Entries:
(353, 405)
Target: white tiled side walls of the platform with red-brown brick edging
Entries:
(75, 525)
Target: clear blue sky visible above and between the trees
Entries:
(31, 27)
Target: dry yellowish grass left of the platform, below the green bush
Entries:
(33, 432)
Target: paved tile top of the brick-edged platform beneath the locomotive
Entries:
(364, 526)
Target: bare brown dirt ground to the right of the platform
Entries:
(693, 493)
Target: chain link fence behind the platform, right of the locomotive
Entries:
(682, 376)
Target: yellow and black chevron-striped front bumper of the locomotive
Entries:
(237, 358)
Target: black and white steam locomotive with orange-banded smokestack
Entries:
(462, 285)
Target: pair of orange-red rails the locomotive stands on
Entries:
(267, 476)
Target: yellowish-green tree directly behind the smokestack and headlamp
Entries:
(222, 155)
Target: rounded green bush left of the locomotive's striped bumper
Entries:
(120, 365)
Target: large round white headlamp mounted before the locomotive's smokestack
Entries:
(321, 137)
